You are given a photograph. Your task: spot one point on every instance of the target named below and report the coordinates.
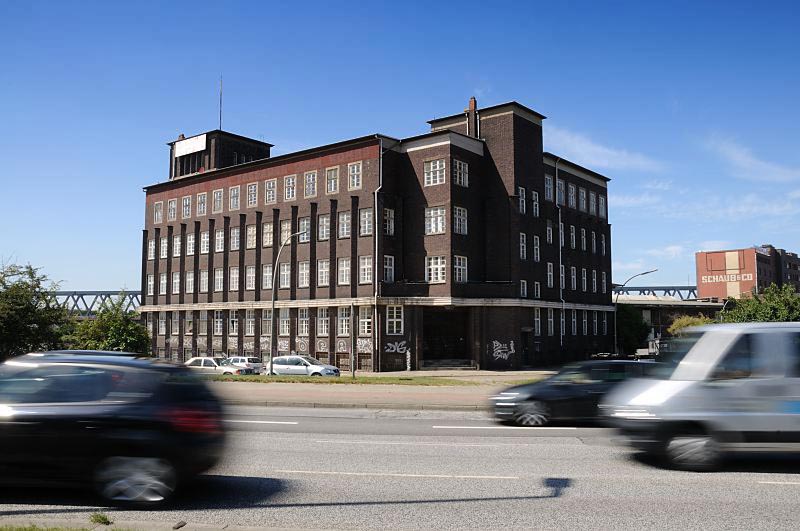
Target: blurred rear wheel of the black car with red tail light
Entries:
(136, 480)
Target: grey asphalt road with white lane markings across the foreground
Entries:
(345, 469)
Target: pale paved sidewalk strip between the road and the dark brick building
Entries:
(376, 396)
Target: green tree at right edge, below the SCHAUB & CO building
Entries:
(774, 304)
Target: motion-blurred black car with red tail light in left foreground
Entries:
(134, 428)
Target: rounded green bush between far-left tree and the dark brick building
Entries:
(113, 328)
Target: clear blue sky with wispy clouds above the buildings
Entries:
(691, 108)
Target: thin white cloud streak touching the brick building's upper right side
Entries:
(582, 150)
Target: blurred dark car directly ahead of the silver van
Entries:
(573, 393)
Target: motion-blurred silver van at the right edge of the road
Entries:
(719, 389)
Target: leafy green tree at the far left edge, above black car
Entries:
(30, 317)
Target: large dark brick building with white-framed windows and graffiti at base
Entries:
(464, 246)
